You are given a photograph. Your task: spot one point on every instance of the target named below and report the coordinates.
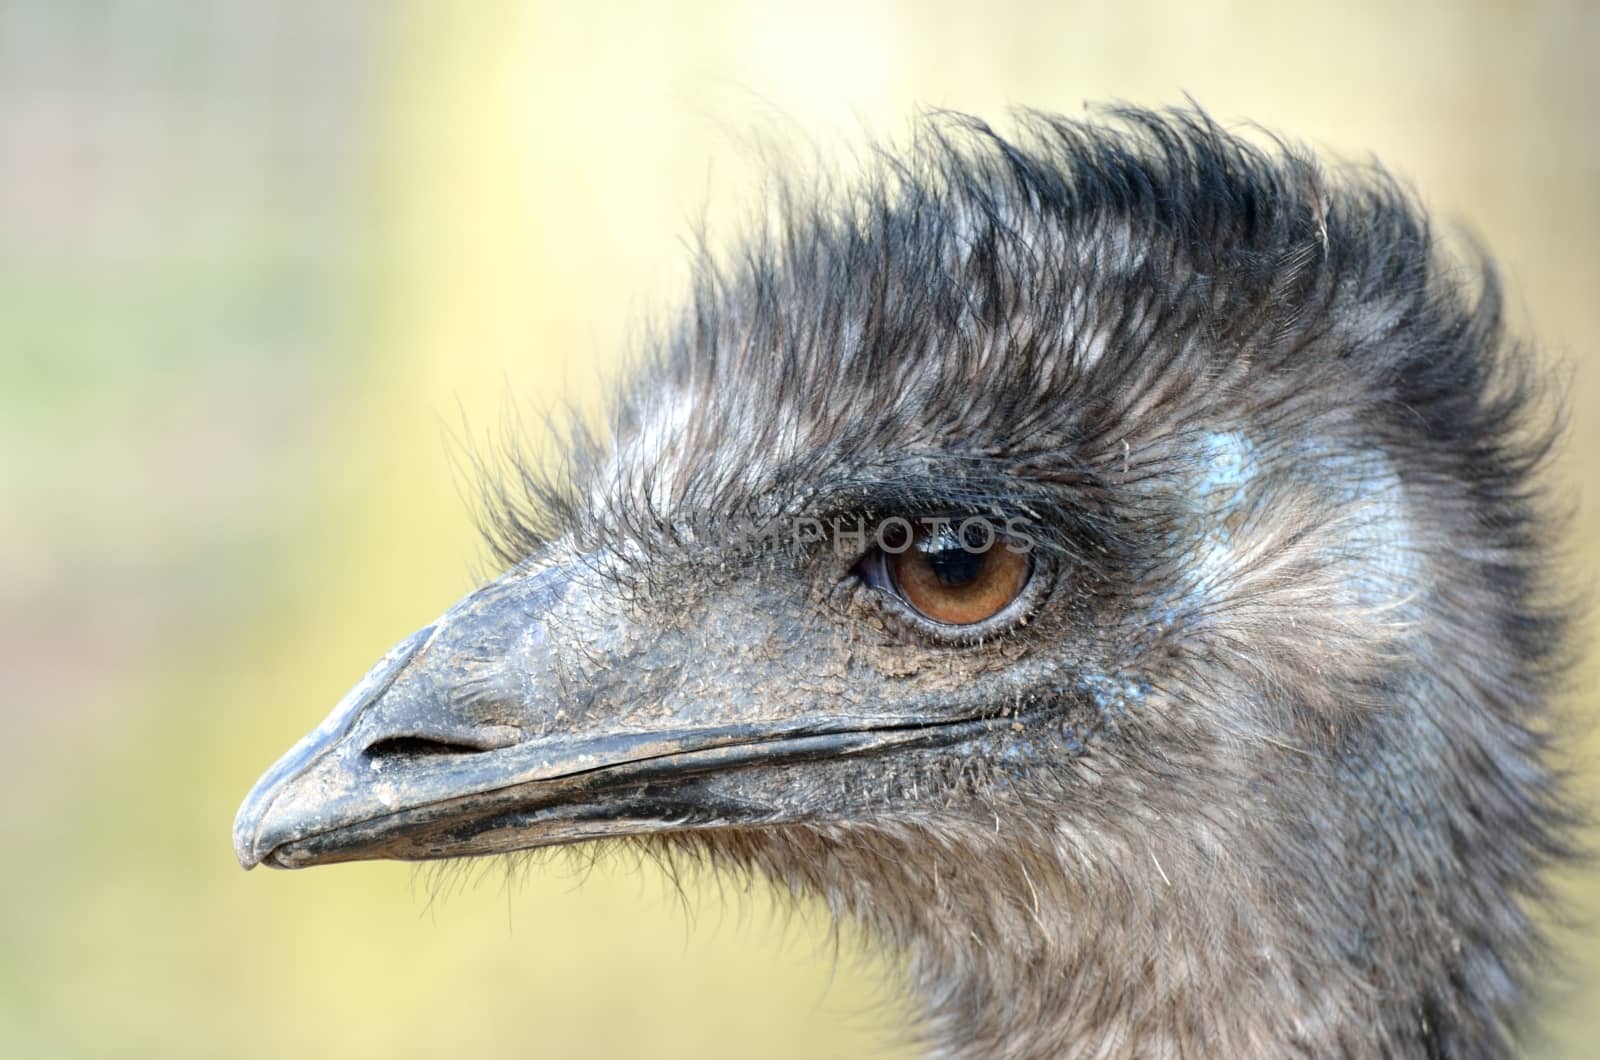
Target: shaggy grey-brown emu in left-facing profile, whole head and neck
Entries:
(1106, 561)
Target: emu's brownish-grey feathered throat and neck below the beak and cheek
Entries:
(1351, 904)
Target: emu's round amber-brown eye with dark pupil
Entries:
(959, 574)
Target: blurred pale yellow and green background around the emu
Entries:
(258, 267)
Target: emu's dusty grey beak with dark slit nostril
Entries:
(476, 736)
